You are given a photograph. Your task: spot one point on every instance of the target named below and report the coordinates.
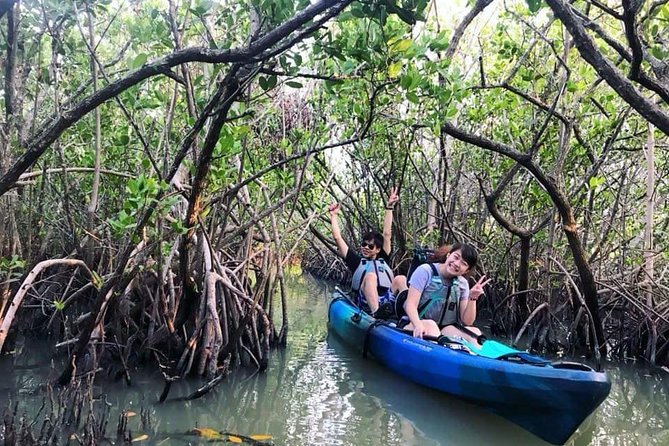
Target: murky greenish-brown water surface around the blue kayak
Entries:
(319, 392)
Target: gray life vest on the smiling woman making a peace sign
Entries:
(439, 301)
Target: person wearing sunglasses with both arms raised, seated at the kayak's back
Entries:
(373, 281)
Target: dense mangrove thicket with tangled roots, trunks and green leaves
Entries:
(163, 162)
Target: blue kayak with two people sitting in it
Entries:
(551, 400)
